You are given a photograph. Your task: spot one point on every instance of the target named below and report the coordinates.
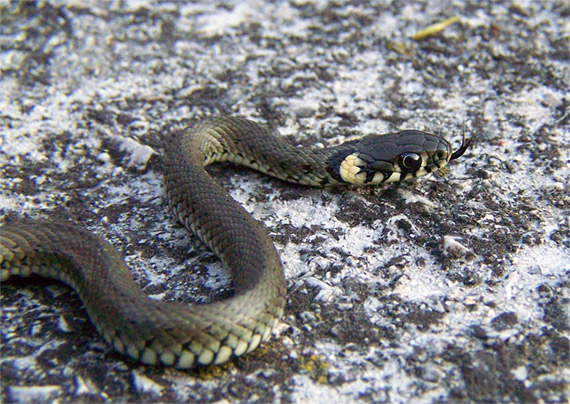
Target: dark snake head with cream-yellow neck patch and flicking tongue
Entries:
(376, 159)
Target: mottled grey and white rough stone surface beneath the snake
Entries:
(453, 288)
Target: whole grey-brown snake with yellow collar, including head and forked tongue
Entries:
(188, 335)
